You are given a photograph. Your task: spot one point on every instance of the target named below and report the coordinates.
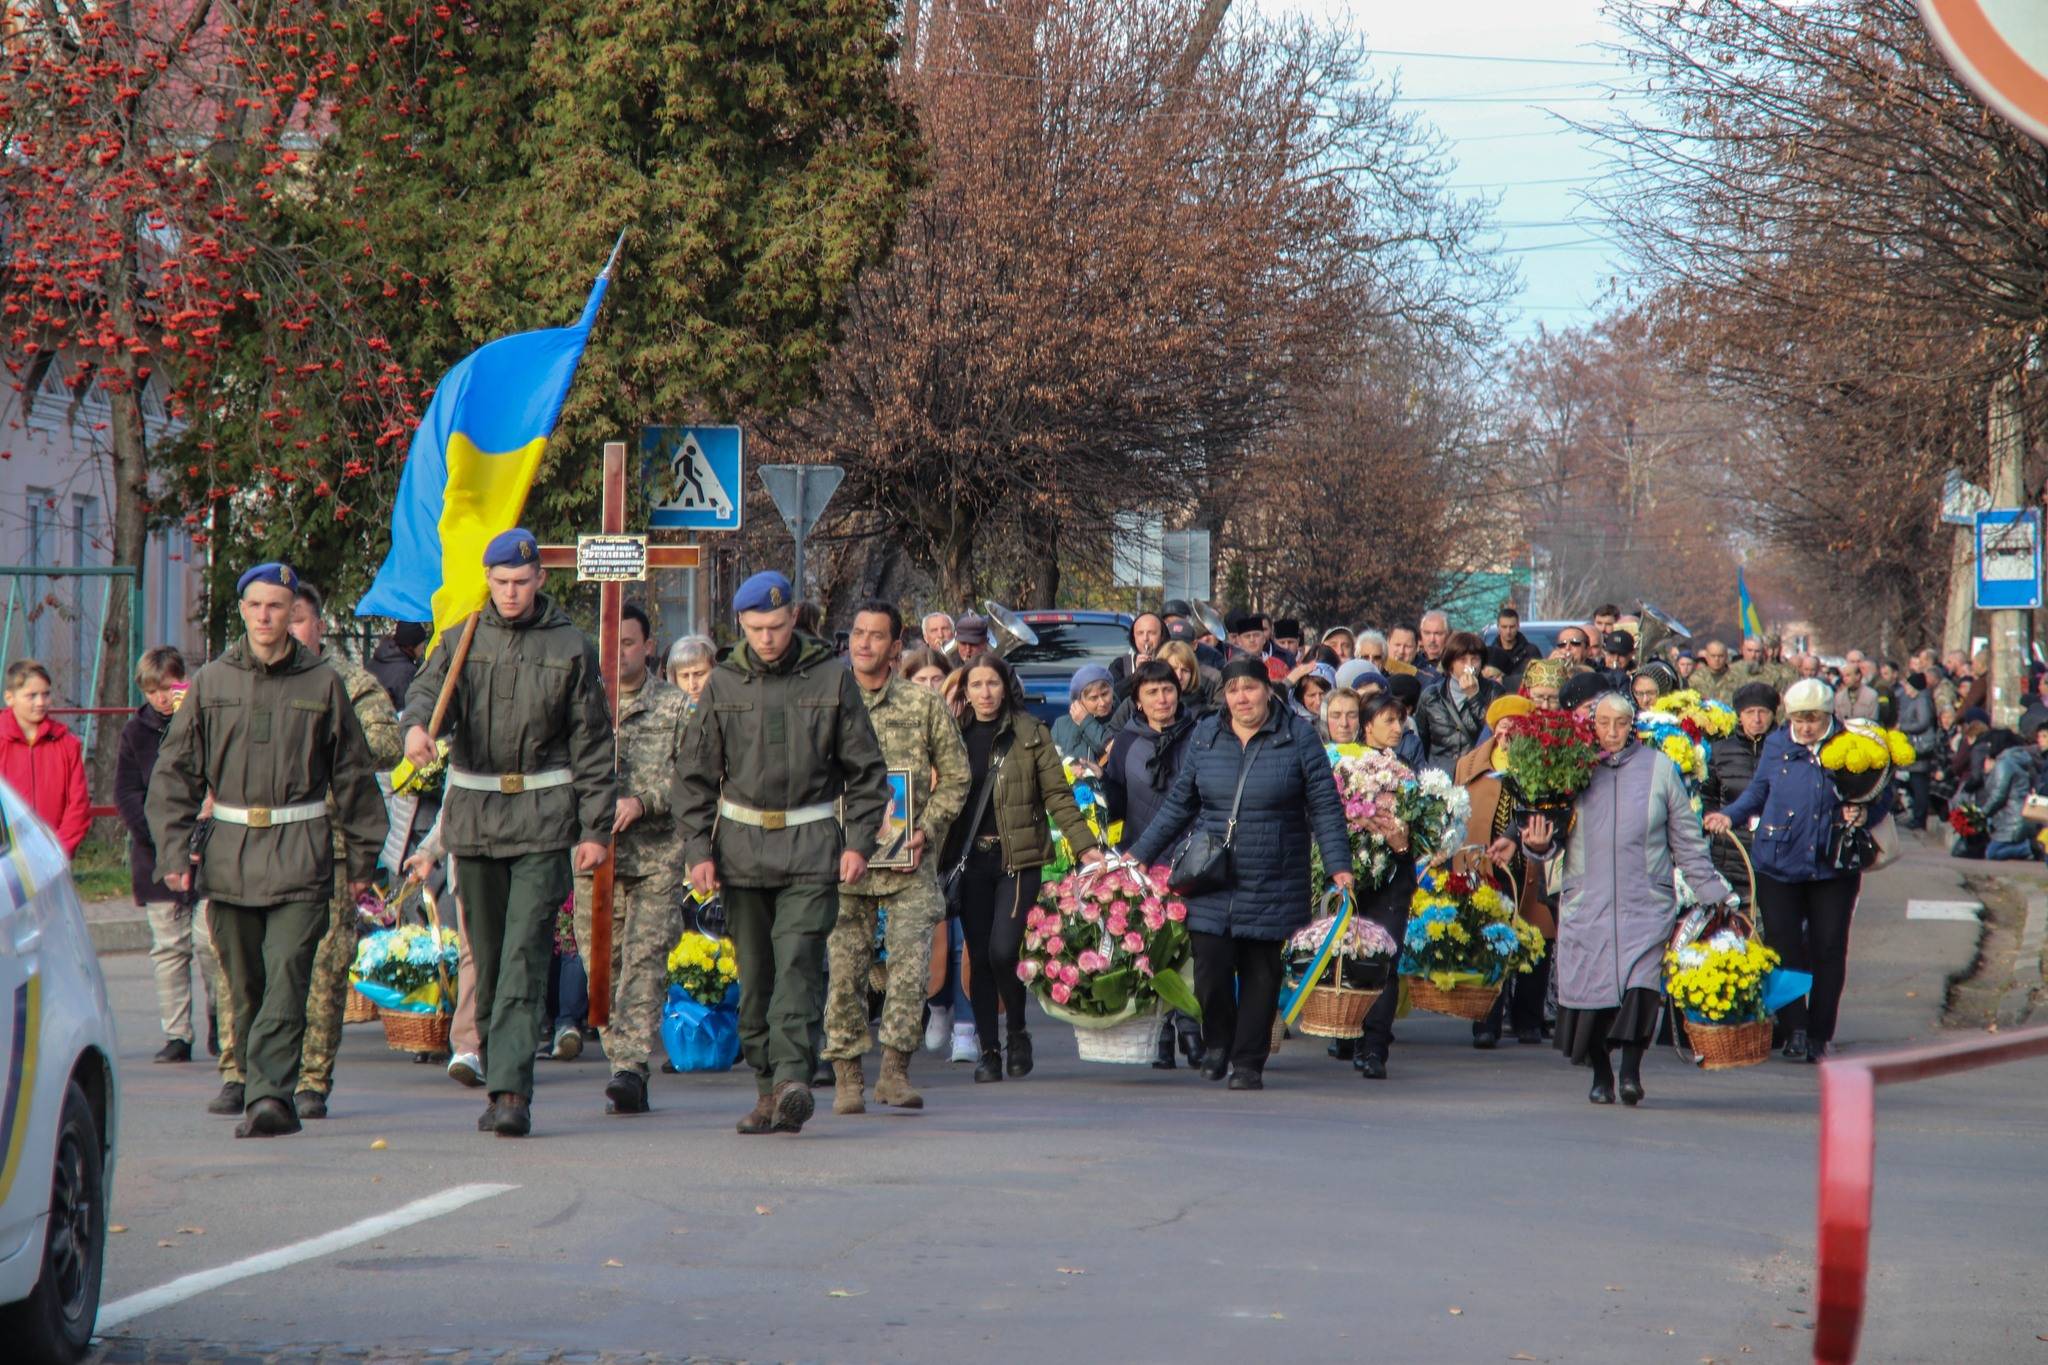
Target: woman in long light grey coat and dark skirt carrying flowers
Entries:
(1631, 828)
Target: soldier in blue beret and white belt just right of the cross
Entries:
(779, 746)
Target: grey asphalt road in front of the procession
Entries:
(1469, 1208)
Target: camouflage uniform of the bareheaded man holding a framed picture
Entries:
(916, 734)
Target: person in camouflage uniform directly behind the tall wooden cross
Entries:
(646, 867)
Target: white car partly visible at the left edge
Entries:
(58, 1100)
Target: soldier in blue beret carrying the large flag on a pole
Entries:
(529, 777)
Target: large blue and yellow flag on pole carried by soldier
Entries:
(472, 466)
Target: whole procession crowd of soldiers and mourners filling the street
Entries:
(753, 781)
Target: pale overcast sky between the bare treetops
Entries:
(1500, 64)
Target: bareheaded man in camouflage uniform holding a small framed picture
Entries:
(916, 734)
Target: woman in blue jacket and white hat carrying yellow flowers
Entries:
(1803, 897)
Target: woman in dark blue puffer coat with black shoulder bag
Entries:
(1240, 930)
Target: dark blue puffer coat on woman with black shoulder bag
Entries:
(1289, 791)
